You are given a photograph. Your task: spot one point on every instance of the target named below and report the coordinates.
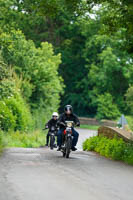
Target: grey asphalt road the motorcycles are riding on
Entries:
(42, 174)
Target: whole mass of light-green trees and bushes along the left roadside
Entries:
(32, 79)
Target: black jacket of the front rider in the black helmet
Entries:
(64, 117)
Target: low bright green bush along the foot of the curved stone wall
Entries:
(115, 148)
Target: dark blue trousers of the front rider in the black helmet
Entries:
(75, 137)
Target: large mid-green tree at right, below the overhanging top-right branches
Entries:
(108, 66)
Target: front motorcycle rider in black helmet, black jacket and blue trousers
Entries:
(68, 115)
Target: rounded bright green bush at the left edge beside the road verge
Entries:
(14, 115)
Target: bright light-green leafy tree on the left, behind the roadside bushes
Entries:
(37, 65)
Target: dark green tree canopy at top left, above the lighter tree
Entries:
(39, 20)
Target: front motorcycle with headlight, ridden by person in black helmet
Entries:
(67, 139)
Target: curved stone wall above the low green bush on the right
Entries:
(110, 132)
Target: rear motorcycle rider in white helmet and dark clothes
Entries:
(52, 122)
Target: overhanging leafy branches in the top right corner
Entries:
(115, 15)
